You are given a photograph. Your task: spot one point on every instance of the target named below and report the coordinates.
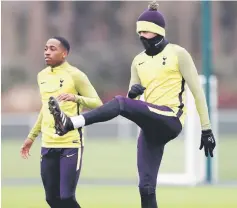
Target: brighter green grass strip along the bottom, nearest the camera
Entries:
(125, 197)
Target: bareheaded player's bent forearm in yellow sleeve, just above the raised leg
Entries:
(88, 102)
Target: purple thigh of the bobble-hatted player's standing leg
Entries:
(149, 158)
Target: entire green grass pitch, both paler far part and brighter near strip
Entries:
(115, 160)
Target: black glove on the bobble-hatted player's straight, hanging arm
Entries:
(208, 142)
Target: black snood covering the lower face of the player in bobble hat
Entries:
(154, 45)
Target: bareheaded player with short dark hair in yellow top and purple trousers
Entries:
(61, 156)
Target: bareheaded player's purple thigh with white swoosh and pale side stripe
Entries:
(70, 168)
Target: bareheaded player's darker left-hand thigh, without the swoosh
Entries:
(49, 168)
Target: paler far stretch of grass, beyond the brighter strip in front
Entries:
(114, 159)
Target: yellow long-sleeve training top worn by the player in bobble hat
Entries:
(165, 75)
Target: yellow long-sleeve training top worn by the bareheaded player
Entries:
(53, 82)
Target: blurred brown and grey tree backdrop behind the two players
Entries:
(104, 42)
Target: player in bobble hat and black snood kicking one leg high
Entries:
(160, 72)
